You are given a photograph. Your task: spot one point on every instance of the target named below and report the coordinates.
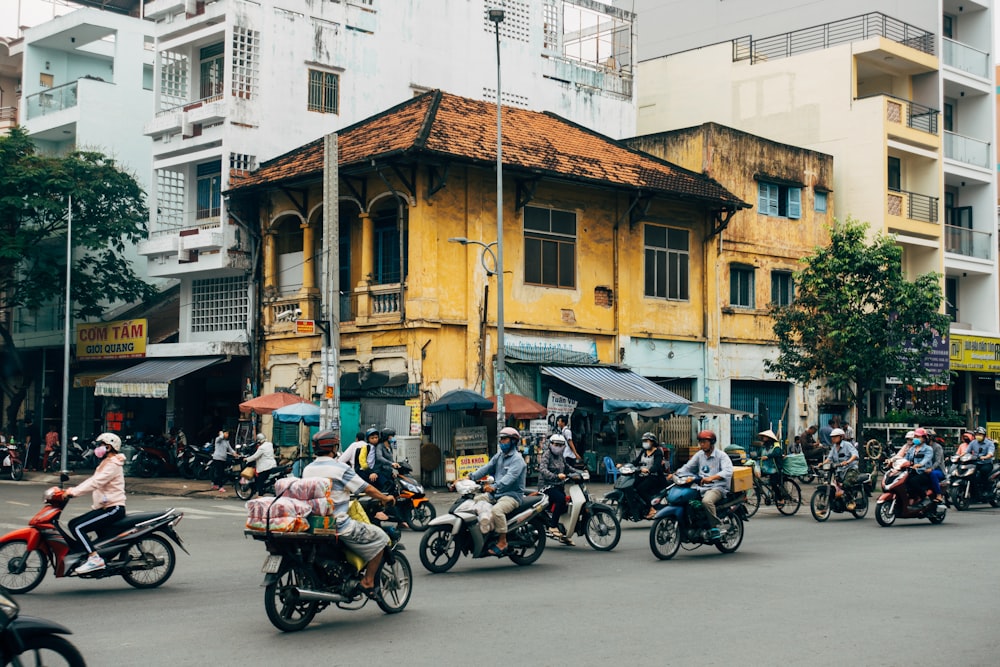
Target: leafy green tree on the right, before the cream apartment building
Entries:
(856, 320)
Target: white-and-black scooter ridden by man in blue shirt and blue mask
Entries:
(458, 532)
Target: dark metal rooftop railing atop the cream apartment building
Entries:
(844, 31)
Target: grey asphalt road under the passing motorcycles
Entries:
(797, 592)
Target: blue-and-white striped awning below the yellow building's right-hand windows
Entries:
(619, 389)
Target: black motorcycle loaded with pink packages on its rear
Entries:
(304, 573)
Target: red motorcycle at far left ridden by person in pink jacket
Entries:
(132, 547)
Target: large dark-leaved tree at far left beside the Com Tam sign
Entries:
(109, 213)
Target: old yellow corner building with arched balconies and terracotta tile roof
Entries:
(602, 244)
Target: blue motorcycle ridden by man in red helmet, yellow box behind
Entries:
(679, 521)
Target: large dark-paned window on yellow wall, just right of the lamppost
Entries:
(549, 247)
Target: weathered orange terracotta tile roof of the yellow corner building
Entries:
(447, 126)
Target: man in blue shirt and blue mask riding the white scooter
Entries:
(507, 490)
